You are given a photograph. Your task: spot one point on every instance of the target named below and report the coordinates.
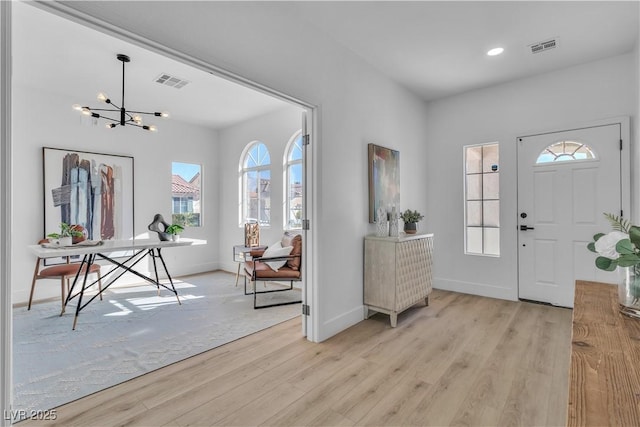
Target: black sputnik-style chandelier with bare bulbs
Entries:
(126, 117)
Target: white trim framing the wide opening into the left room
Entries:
(5, 178)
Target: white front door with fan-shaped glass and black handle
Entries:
(566, 181)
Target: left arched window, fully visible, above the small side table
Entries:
(255, 177)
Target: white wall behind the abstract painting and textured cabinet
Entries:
(356, 105)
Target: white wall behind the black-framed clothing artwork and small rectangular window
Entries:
(51, 122)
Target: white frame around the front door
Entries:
(625, 165)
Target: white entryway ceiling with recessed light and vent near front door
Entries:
(438, 48)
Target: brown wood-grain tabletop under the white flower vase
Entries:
(604, 380)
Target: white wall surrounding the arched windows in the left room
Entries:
(274, 130)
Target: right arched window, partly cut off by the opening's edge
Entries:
(293, 180)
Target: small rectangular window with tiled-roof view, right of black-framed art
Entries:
(185, 194)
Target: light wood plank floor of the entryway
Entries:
(464, 360)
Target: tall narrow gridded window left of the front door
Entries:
(482, 199)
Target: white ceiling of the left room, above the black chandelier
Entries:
(87, 65)
